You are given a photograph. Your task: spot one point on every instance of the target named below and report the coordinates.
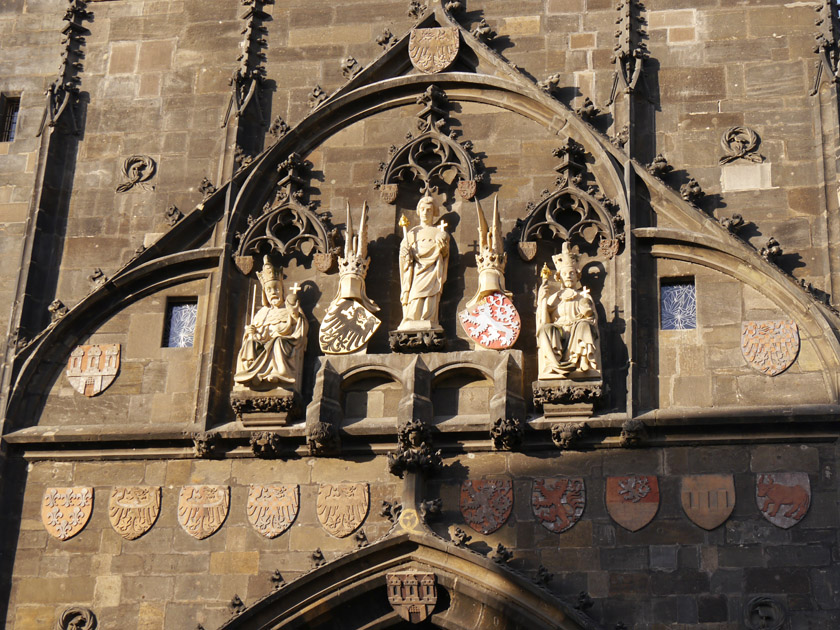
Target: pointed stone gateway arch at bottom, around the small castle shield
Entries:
(470, 587)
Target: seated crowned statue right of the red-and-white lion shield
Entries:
(567, 324)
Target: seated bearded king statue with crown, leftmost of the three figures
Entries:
(275, 339)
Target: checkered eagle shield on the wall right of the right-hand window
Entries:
(770, 346)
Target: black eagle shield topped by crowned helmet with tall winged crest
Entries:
(350, 321)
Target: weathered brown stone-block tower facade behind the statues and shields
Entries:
(176, 133)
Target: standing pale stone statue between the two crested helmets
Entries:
(424, 255)
